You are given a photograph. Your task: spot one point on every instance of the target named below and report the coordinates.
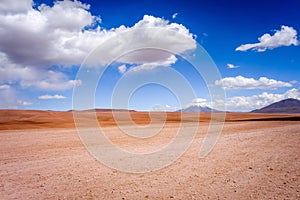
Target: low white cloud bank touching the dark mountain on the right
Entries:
(248, 103)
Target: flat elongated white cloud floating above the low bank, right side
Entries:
(240, 82)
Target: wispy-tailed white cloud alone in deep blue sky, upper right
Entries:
(287, 36)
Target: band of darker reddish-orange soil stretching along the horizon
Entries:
(35, 119)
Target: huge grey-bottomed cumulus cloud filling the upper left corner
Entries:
(47, 35)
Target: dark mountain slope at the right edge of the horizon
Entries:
(284, 106)
